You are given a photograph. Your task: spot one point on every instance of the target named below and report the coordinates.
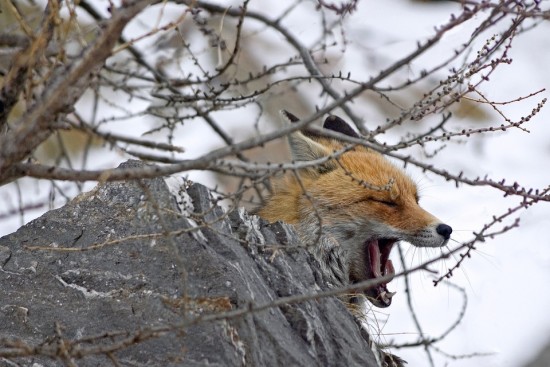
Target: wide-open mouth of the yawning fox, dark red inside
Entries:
(378, 264)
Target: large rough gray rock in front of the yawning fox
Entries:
(139, 283)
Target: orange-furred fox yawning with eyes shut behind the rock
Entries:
(351, 209)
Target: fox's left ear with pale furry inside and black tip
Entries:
(306, 149)
